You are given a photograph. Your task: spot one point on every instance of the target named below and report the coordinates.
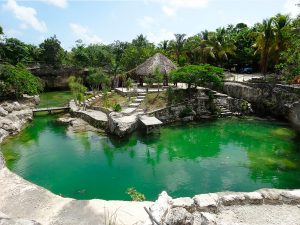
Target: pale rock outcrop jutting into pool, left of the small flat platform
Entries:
(122, 125)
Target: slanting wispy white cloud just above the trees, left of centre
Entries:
(85, 34)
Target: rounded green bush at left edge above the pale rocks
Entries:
(17, 80)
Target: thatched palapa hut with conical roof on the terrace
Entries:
(149, 66)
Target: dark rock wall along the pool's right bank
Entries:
(268, 99)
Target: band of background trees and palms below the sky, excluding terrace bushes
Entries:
(266, 47)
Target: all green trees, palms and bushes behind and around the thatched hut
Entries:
(271, 46)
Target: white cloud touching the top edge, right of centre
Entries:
(170, 7)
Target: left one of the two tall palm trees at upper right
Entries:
(265, 43)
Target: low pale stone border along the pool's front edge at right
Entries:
(202, 209)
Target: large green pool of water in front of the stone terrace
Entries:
(184, 160)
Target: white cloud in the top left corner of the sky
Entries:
(27, 15)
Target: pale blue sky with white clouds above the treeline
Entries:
(104, 21)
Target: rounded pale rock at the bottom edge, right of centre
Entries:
(179, 216)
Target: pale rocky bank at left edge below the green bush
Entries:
(14, 115)
